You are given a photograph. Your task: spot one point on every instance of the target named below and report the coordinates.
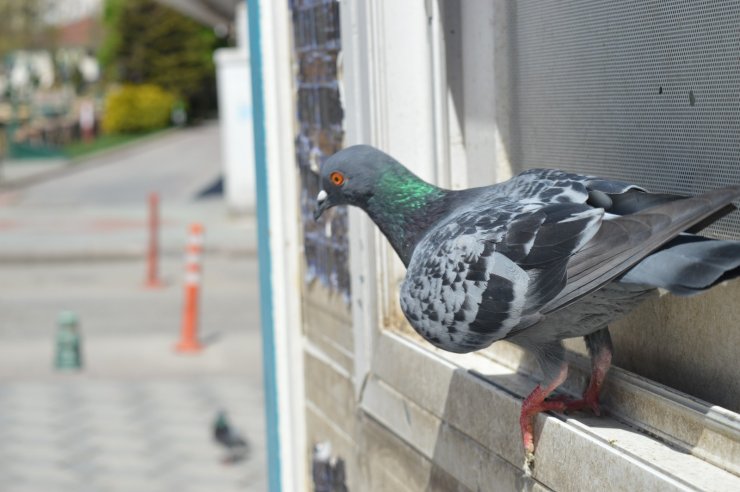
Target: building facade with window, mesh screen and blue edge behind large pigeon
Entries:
(469, 93)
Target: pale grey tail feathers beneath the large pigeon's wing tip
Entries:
(688, 265)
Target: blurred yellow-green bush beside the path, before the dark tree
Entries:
(137, 108)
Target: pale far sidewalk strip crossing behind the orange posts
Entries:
(91, 232)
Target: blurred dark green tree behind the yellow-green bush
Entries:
(147, 42)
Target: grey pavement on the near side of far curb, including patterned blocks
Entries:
(138, 416)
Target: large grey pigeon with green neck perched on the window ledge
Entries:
(545, 256)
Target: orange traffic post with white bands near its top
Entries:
(189, 341)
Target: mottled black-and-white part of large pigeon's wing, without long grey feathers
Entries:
(491, 268)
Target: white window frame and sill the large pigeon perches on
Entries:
(408, 386)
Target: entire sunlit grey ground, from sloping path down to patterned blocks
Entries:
(138, 415)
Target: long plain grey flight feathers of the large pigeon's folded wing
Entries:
(622, 242)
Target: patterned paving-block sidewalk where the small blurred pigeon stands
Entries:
(110, 435)
